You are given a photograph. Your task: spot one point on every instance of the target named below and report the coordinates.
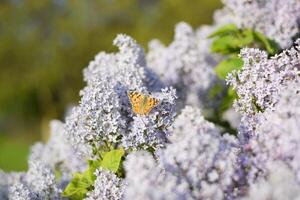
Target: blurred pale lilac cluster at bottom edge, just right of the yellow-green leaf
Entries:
(151, 181)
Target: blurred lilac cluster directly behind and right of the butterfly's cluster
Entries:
(185, 64)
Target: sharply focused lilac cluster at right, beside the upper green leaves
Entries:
(259, 81)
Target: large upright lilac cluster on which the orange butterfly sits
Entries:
(104, 115)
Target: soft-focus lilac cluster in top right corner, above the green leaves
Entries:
(277, 19)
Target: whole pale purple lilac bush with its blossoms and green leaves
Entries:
(226, 125)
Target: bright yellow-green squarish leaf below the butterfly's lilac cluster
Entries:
(112, 160)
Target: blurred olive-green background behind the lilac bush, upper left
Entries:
(45, 44)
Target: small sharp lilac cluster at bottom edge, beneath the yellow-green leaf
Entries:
(106, 187)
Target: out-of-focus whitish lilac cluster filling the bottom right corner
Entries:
(280, 183)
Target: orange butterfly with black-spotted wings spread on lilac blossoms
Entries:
(142, 104)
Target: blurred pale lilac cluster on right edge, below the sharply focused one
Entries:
(276, 135)
